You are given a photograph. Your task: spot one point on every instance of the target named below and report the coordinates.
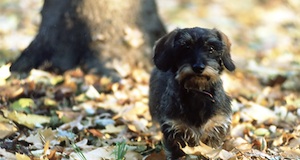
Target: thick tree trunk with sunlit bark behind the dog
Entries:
(93, 34)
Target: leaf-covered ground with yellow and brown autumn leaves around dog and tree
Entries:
(84, 116)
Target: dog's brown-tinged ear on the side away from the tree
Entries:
(226, 58)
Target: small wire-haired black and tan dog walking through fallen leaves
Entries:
(186, 96)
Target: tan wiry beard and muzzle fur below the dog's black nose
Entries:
(193, 81)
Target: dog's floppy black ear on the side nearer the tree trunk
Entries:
(164, 52)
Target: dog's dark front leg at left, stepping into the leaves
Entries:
(172, 142)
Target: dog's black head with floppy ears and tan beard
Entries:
(197, 55)
